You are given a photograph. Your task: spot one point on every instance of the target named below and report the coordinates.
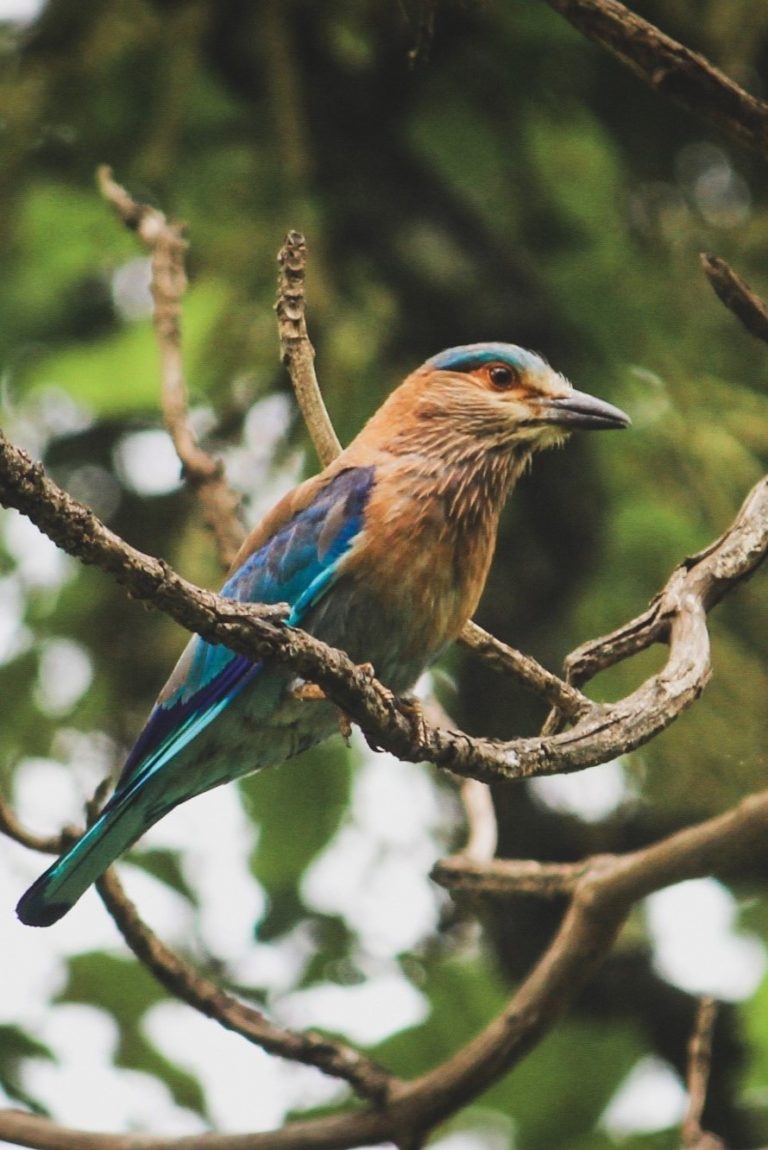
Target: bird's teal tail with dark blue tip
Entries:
(121, 823)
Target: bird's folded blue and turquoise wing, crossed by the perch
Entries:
(294, 558)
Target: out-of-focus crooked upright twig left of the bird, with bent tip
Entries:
(165, 241)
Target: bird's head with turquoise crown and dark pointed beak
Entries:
(509, 395)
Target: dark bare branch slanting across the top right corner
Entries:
(671, 70)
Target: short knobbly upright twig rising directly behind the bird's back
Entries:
(296, 348)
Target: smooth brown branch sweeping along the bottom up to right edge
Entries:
(603, 896)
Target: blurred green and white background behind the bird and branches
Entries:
(504, 181)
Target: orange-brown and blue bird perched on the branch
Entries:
(385, 555)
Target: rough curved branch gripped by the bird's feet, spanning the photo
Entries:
(602, 734)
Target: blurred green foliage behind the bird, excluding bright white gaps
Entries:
(516, 185)
